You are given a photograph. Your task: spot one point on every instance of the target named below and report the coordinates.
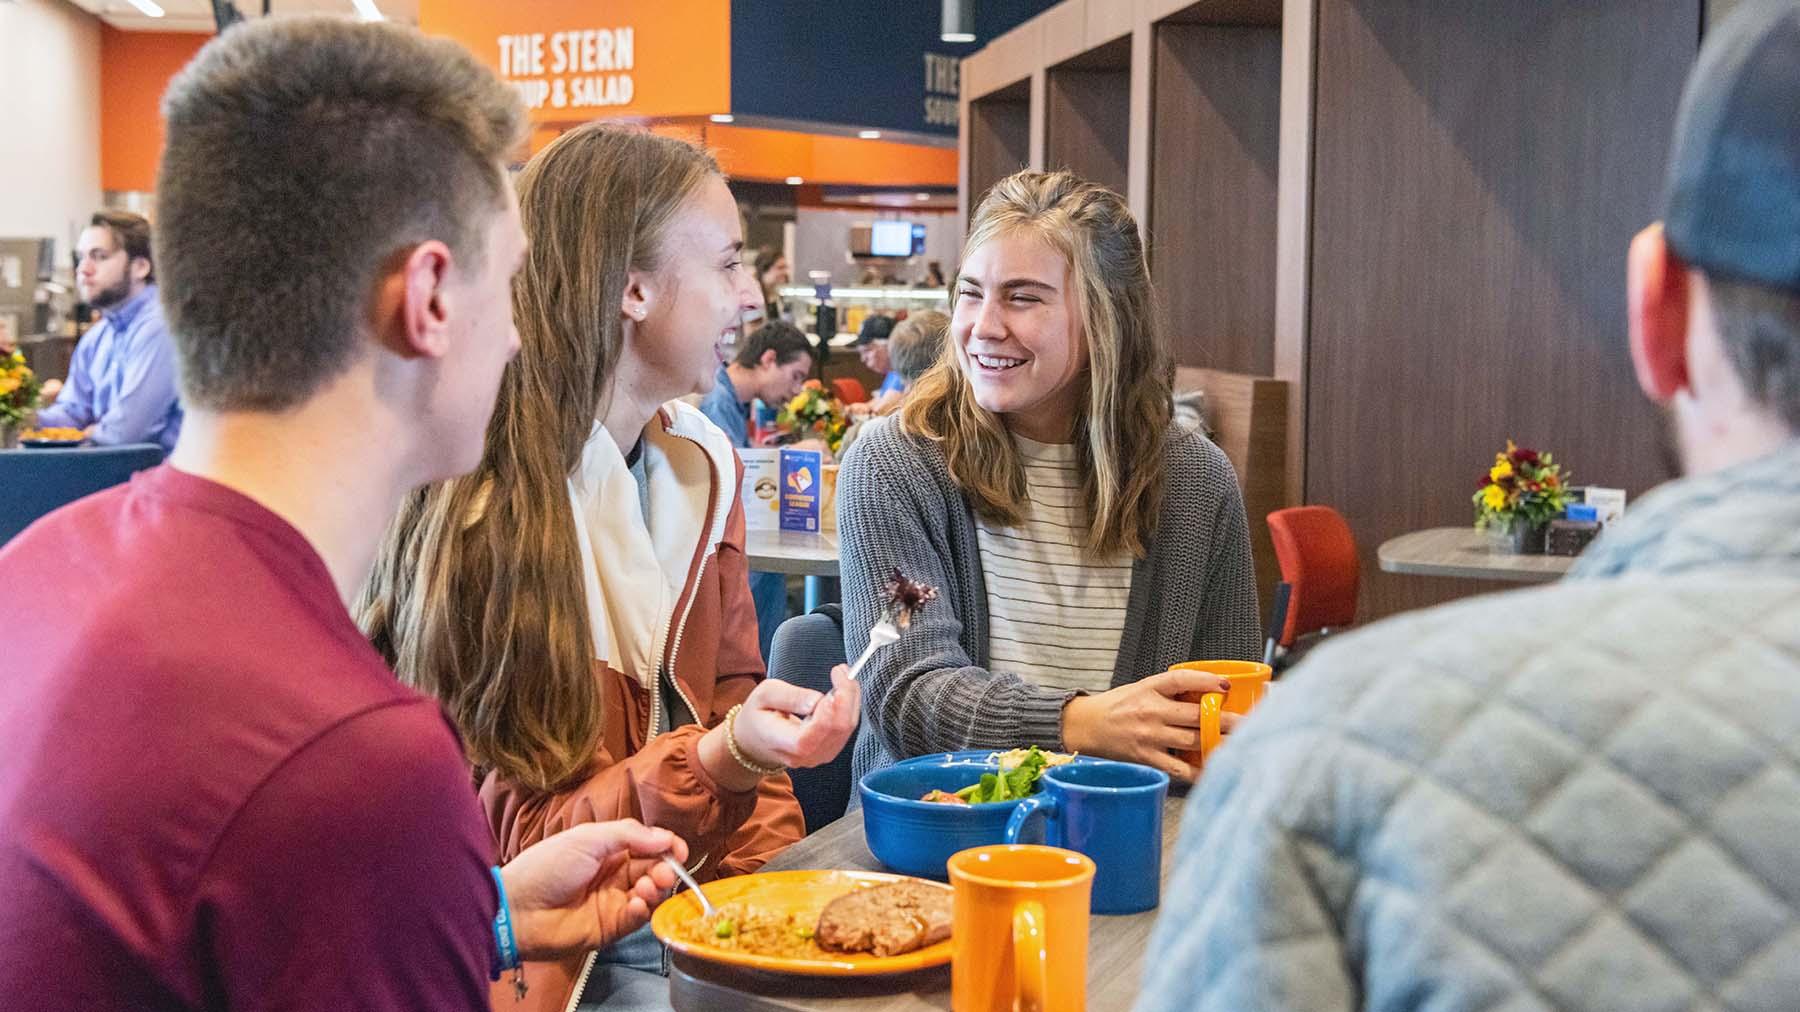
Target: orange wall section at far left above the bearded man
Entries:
(136, 68)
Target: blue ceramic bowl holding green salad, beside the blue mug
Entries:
(919, 838)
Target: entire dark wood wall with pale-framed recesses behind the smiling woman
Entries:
(1412, 212)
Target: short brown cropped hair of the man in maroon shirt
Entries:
(305, 158)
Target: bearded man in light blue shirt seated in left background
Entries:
(121, 383)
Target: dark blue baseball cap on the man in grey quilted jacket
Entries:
(1732, 206)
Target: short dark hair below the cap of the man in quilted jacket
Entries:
(1761, 332)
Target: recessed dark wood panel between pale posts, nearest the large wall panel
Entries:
(1214, 154)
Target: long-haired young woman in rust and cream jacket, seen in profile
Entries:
(580, 602)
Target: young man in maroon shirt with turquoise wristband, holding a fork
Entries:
(213, 791)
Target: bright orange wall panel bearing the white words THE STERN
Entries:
(681, 51)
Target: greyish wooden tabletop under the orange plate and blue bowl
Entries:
(1115, 950)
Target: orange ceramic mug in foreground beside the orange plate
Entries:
(1038, 899)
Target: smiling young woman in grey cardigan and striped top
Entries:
(1083, 543)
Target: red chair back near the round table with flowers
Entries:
(1322, 572)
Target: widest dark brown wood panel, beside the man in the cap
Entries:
(1479, 172)
